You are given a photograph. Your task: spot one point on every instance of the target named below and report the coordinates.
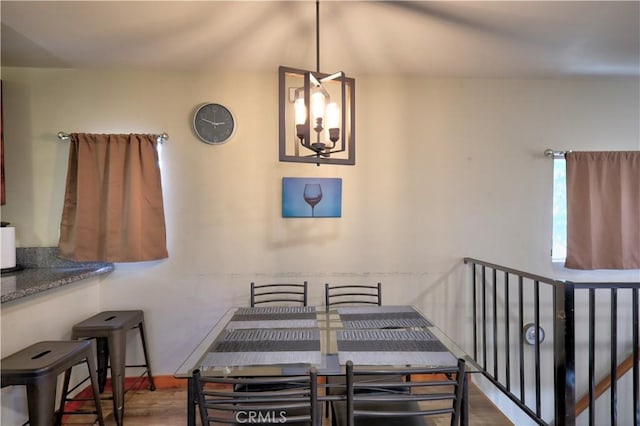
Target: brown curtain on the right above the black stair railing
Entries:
(603, 210)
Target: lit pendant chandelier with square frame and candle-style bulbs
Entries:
(316, 114)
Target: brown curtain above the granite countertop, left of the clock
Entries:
(113, 208)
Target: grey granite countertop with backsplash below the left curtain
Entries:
(44, 270)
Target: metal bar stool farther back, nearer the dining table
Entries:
(109, 328)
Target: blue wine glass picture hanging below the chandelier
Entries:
(311, 197)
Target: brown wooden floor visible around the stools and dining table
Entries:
(167, 407)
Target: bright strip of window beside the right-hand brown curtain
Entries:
(559, 235)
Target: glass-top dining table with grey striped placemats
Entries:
(288, 340)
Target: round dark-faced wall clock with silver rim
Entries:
(213, 123)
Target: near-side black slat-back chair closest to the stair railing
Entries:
(434, 392)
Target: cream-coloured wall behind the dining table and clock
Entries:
(446, 168)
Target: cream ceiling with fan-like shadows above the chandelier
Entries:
(407, 38)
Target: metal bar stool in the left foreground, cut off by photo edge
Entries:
(38, 366)
